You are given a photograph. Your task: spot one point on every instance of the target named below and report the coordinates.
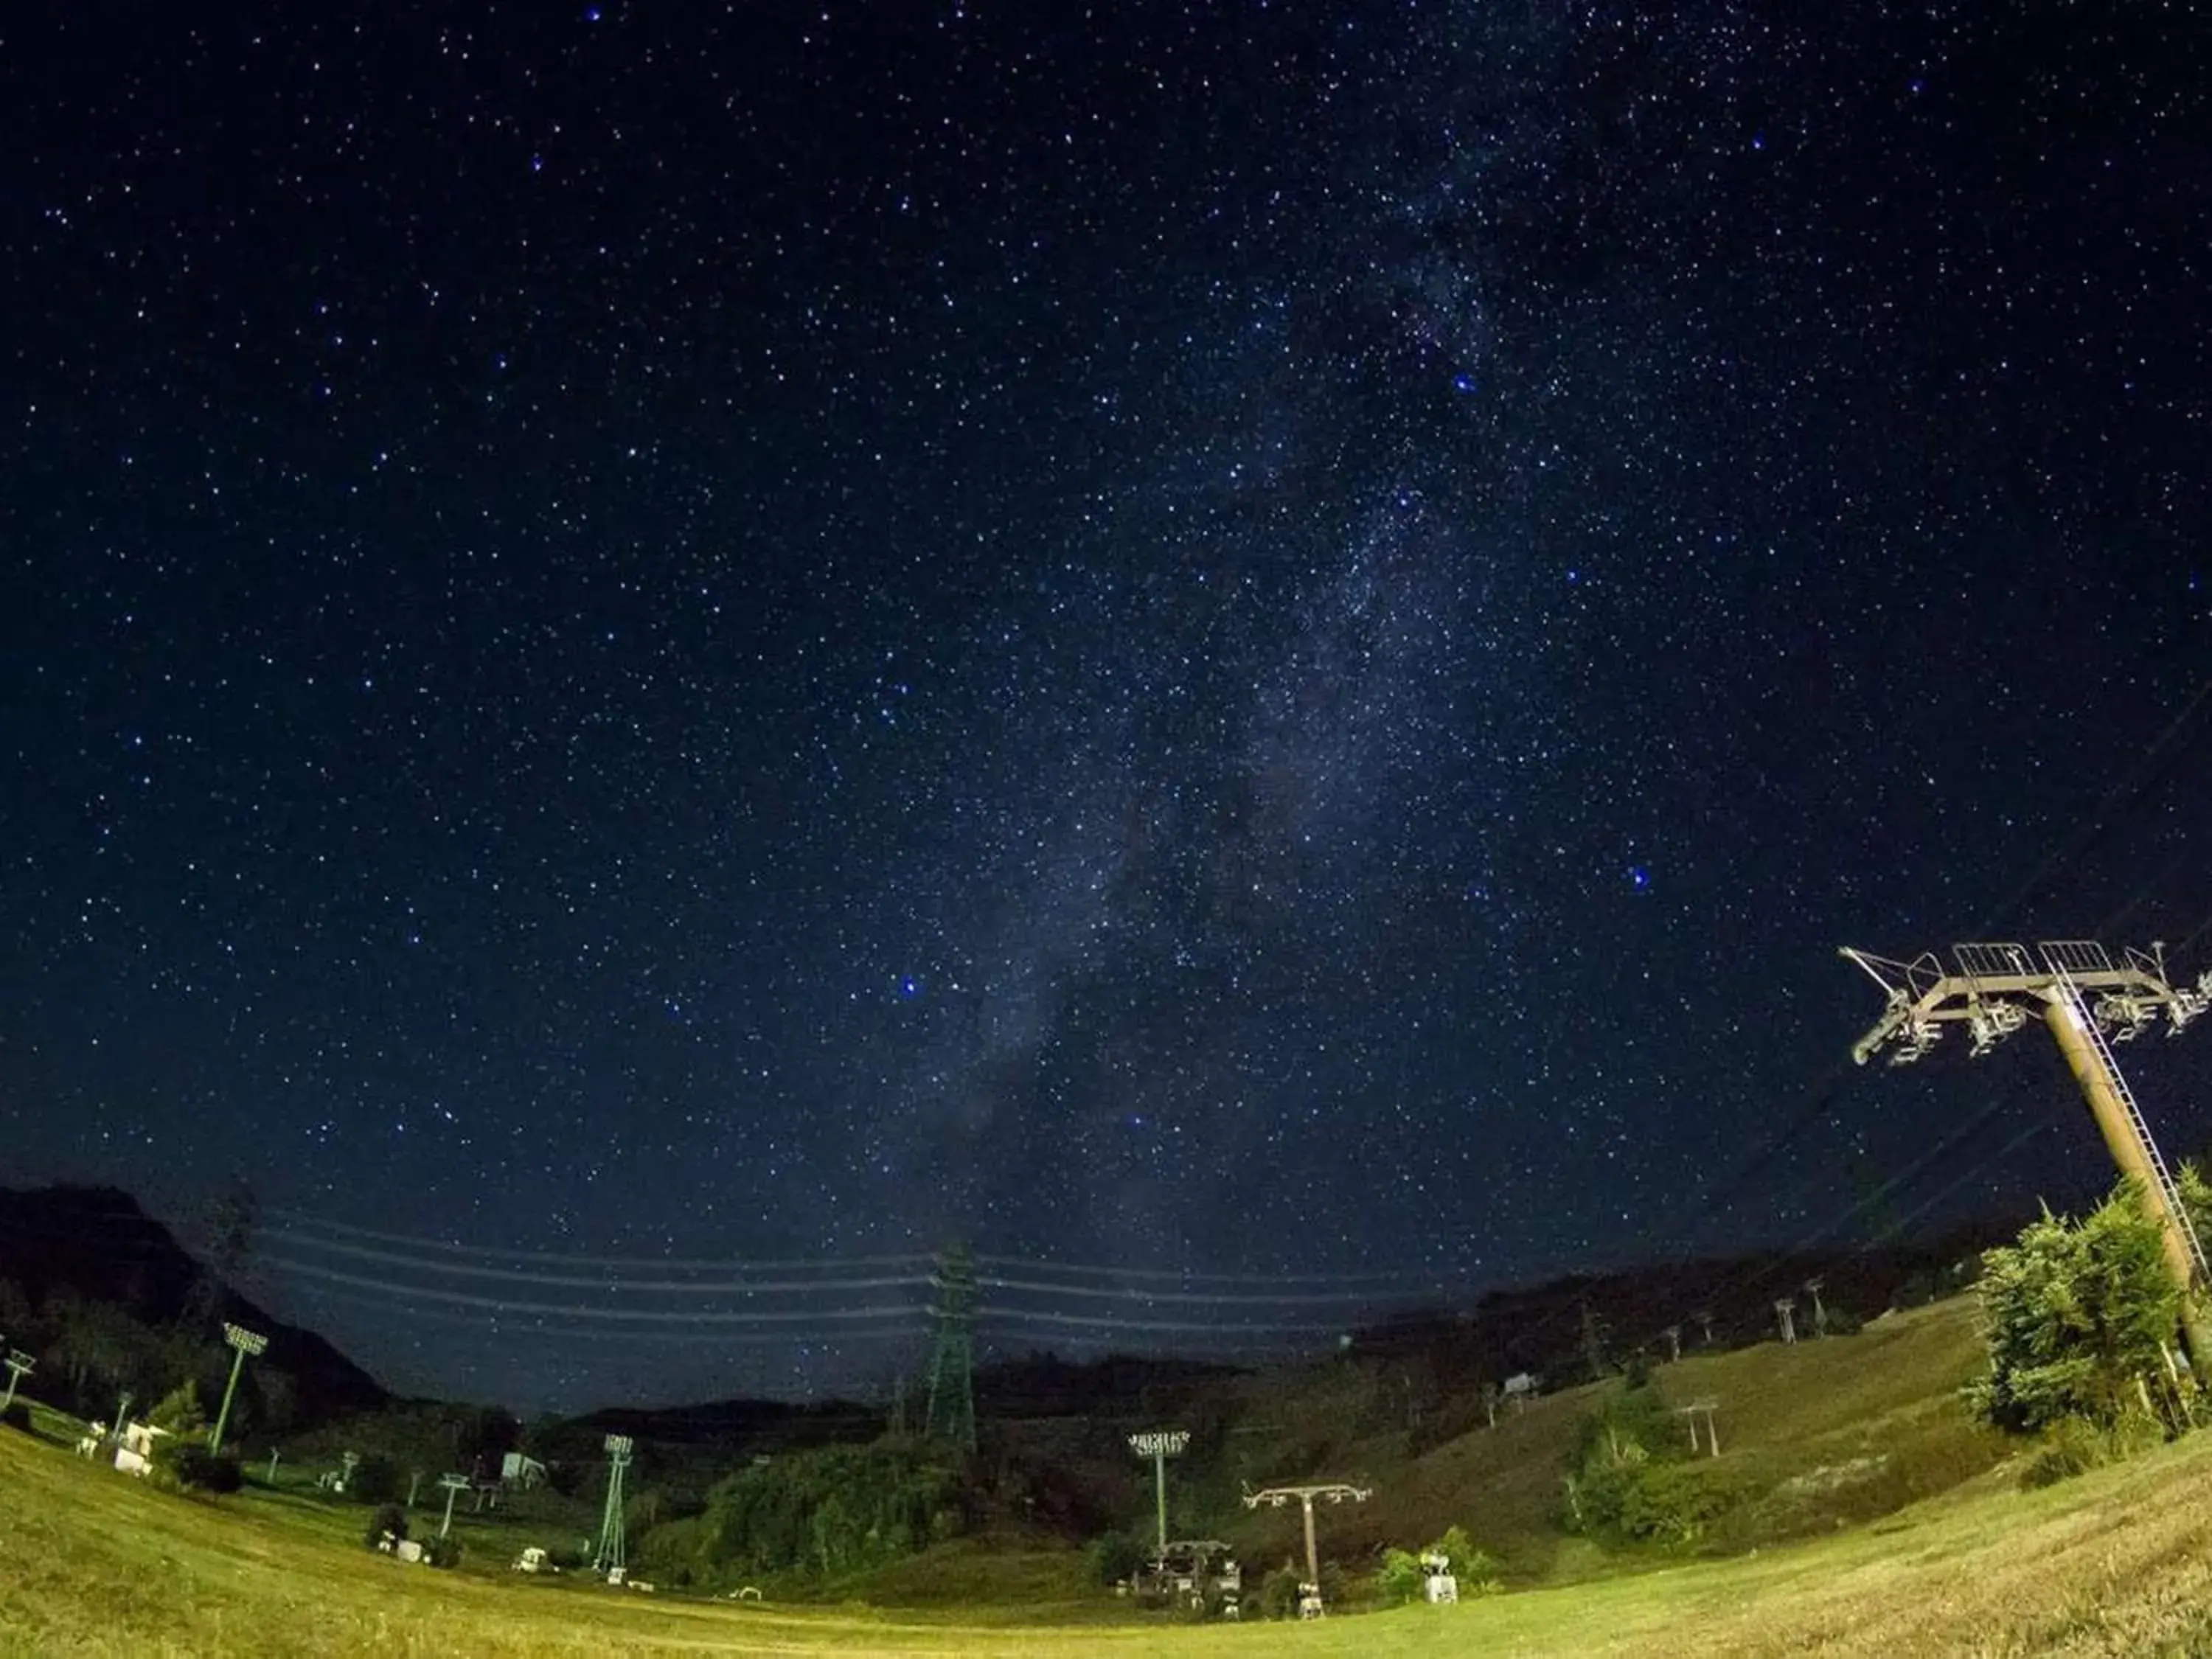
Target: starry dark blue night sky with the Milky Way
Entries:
(1191, 638)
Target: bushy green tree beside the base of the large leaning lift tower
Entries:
(2078, 1315)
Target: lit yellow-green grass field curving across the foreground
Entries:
(2118, 1563)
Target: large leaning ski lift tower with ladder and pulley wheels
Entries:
(2080, 994)
